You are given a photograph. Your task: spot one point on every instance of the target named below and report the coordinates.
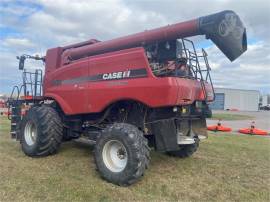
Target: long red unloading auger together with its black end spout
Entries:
(207, 25)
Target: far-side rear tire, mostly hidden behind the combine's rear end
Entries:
(185, 150)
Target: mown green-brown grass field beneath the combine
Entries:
(225, 168)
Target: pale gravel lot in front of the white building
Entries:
(261, 118)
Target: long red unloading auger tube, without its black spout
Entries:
(59, 56)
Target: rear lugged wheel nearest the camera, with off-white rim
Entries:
(121, 154)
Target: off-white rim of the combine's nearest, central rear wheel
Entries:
(115, 156)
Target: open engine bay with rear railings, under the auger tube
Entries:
(177, 58)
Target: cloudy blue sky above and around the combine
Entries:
(32, 27)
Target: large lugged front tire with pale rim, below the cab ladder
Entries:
(41, 131)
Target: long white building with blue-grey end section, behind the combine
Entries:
(237, 99)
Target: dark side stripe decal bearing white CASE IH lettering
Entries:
(133, 73)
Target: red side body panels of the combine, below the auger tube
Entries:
(89, 97)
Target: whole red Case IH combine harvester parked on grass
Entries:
(127, 94)
